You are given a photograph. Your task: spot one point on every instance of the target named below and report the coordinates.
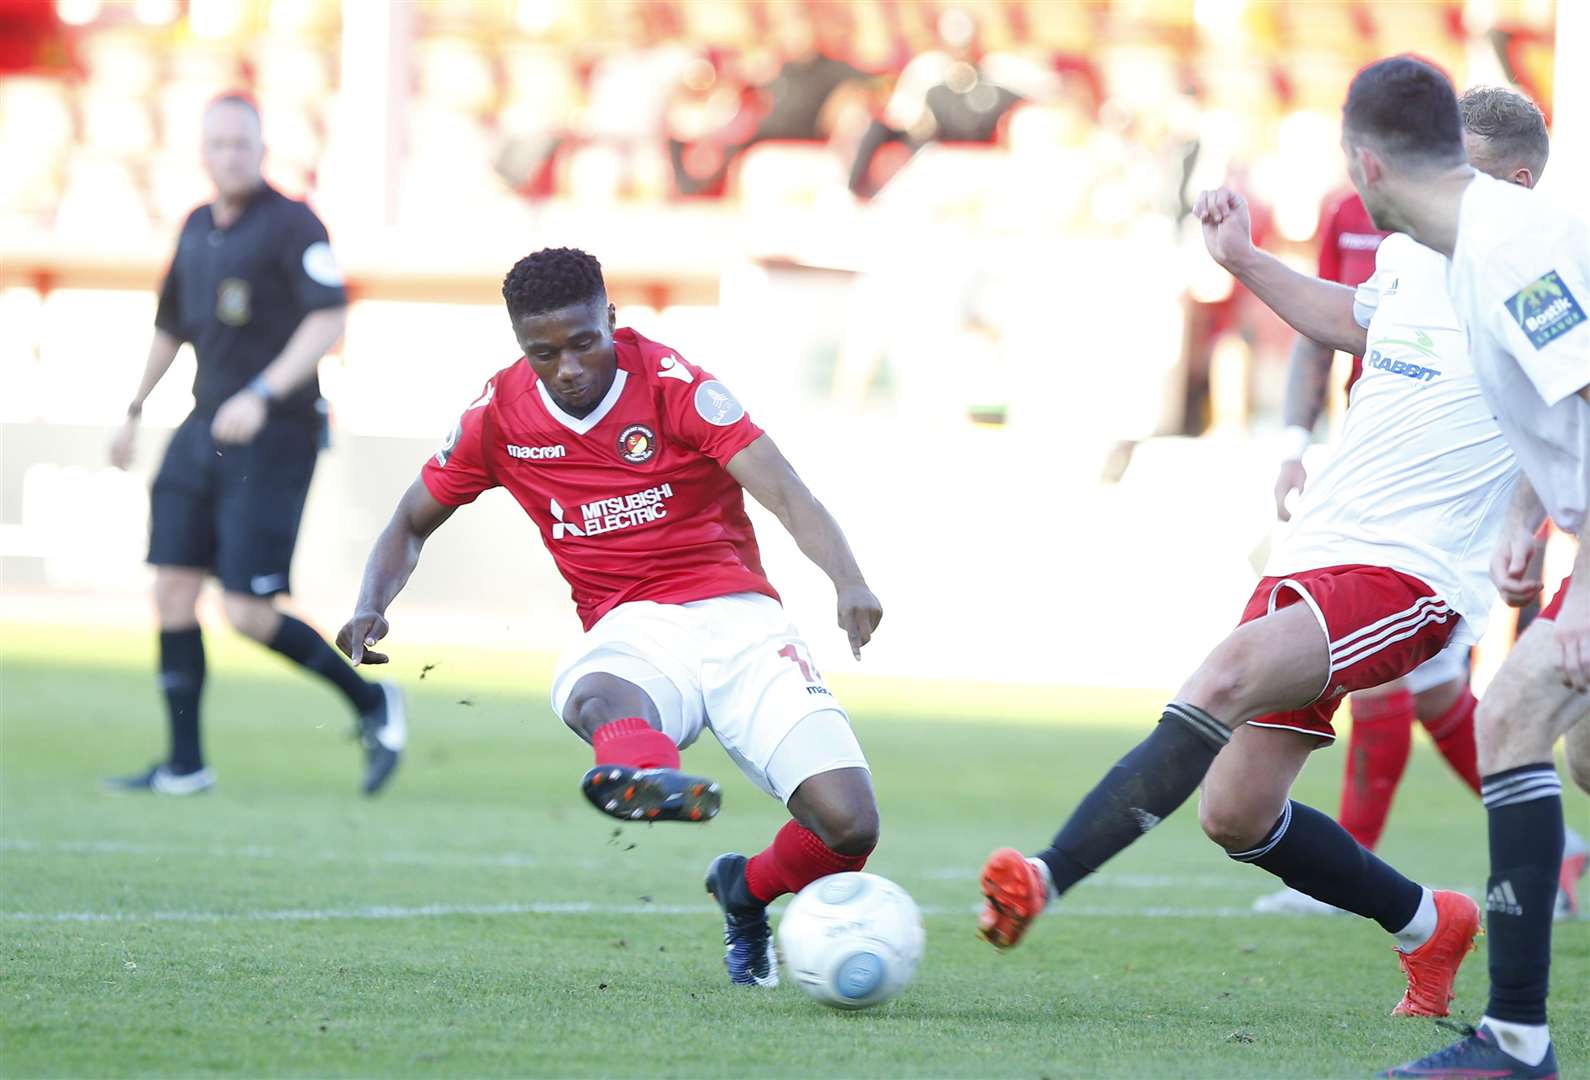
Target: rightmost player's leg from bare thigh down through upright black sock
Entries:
(1524, 713)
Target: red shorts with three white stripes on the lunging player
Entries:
(1381, 626)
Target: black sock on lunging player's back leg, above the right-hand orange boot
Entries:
(1314, 855)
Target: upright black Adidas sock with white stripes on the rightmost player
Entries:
(1526, 812)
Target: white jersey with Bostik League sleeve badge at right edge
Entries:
(1521, 282)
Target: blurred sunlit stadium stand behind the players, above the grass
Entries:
(1033, 402)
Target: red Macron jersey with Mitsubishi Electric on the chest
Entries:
(634, 500)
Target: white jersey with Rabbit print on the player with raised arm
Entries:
(1422, 475)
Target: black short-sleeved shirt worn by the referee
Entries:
(239, 293)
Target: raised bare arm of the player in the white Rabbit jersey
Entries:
(1314, 308)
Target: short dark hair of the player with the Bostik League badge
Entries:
(1408, 111)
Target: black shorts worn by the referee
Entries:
(235, 510)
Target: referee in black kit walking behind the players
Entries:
(257, 290)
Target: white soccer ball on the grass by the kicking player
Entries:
(851, 941)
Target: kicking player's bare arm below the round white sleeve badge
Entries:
(764, 472)
